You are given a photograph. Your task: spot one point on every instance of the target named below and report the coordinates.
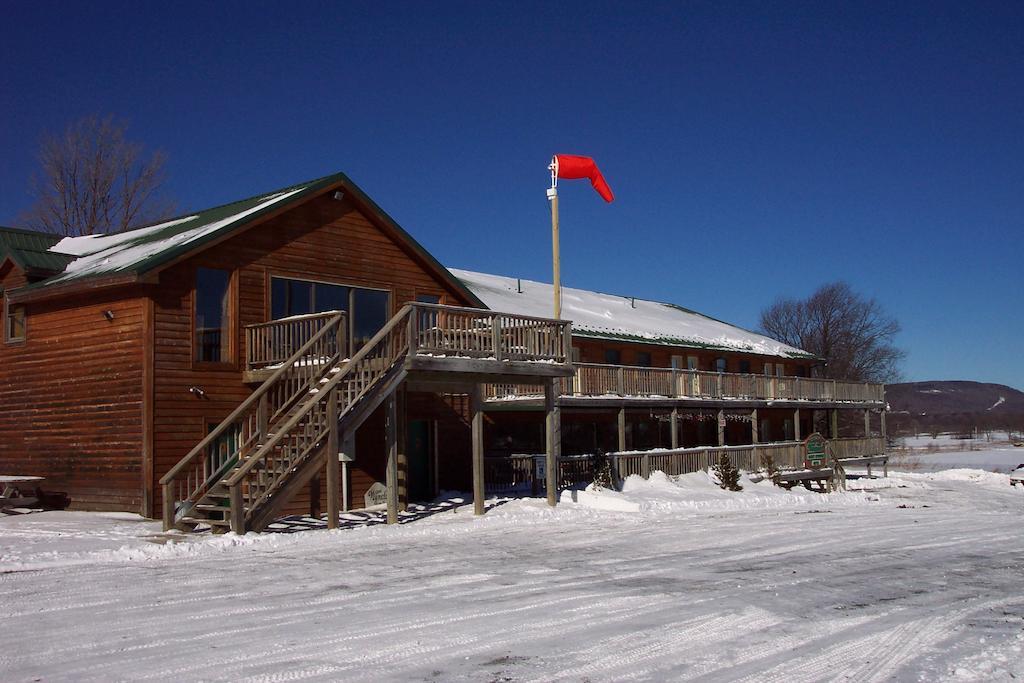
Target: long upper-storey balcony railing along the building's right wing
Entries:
(624, 381)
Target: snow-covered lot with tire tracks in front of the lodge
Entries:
(915, 578)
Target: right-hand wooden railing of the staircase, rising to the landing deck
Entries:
(268, 467)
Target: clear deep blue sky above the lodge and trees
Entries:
(756, 150)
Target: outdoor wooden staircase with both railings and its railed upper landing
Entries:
(272, 446)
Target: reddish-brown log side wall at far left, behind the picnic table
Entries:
(71, 401)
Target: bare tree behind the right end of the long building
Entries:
(855, 335)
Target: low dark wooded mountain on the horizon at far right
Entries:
(951, 398)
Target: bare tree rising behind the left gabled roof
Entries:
(92, 180)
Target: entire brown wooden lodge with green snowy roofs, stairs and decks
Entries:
(202, 369)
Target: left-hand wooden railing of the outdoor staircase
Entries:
(247, 426)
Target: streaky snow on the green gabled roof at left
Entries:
(105, 254)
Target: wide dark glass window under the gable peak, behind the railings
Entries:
(368, 310)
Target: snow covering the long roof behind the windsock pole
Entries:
(626, 319)
